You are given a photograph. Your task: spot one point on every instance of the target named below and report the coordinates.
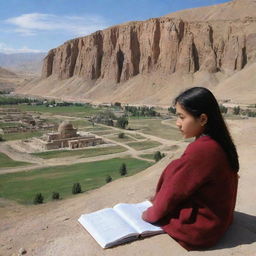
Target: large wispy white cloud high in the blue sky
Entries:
(32, 23)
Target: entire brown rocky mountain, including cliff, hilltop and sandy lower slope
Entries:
(149, 62)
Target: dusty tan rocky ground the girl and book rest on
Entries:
(53, 229)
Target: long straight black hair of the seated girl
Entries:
(199, 100)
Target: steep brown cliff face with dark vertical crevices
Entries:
(164, 45)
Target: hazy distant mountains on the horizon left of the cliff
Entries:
(26, 63)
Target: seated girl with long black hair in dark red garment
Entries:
(196, 194)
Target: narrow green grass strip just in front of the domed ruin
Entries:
(81, 152)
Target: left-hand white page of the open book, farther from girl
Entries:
(107, 227)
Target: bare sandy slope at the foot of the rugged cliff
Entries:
(151, 89)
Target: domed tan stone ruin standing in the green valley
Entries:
(66, 137)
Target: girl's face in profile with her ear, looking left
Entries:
(188, 124)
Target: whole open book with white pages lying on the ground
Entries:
(120, 224)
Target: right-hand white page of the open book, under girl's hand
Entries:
(132, 214)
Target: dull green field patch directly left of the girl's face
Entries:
(156, 128)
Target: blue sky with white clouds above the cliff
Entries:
(40, 25)
